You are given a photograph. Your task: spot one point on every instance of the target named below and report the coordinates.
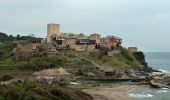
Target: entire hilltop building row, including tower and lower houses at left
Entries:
(78, 42)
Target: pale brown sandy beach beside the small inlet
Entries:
(110, 92)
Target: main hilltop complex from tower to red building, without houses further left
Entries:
(80, 42)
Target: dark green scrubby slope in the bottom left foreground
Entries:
(32, 90)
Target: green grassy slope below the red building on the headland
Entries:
(123, 59)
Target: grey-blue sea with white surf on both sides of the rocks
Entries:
(160, 61)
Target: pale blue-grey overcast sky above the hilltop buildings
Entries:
(141, 23)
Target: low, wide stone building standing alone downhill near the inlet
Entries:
(52, 75)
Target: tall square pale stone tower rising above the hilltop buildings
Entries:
(53, 30)
